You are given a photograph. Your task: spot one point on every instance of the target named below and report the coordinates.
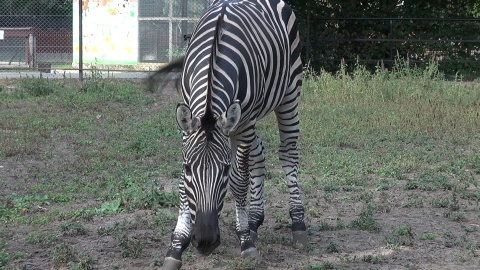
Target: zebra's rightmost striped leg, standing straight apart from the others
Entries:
(288, 124)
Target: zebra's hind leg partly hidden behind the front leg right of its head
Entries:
(257, 175)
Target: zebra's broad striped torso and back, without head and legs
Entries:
(239, 50)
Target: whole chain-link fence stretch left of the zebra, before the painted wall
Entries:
(115, 34)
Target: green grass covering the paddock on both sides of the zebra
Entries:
(371, 145)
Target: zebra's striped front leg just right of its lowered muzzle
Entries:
(239, 186)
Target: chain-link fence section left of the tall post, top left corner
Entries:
(35, 32)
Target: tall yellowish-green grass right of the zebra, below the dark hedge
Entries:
(369, 119)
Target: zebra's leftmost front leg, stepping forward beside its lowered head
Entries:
(181, 235)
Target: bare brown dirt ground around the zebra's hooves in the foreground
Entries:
(356, 249)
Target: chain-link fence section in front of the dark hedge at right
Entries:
(453, 43)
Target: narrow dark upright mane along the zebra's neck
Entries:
(208, 120)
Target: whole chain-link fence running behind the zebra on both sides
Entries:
(140, 34)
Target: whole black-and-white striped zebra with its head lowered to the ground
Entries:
(243, 62)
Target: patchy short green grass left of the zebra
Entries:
(79, 117)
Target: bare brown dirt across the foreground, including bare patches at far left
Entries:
(454, 243)
